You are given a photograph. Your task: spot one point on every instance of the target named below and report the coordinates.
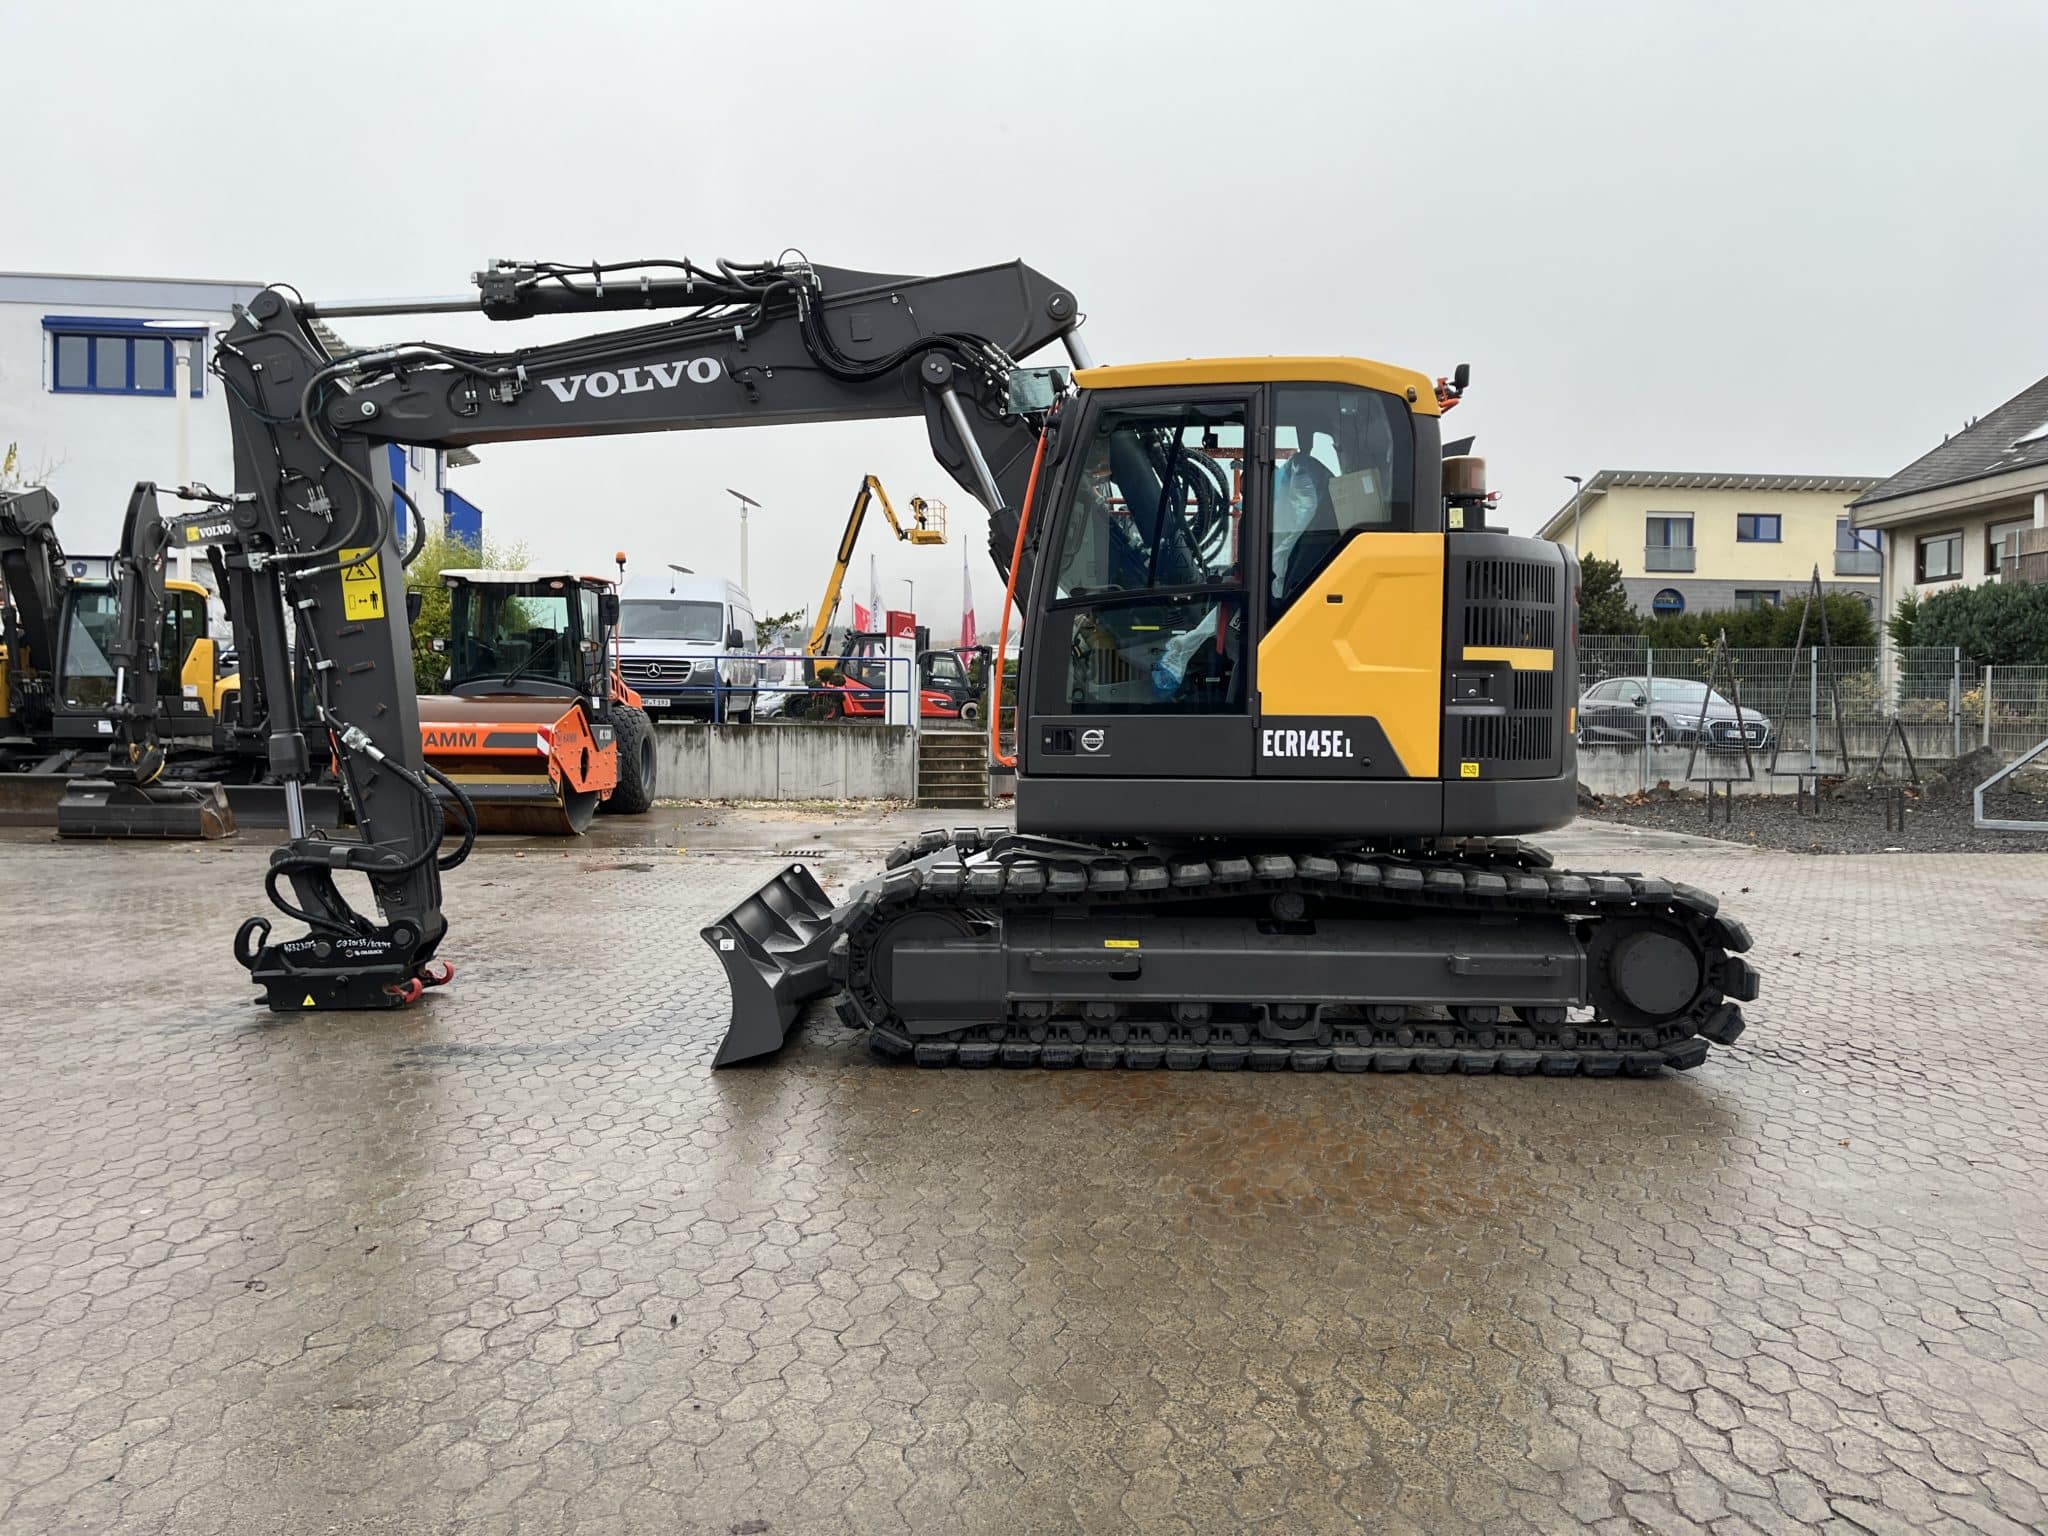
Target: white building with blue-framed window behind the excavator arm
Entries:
(103, 382)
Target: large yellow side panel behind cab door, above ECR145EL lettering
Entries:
(1379, 652)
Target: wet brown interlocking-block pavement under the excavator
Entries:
(521, 1263)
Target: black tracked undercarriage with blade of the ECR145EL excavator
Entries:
(996, 949)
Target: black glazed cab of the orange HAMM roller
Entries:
(529, 634)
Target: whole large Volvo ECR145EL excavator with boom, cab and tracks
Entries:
(1287, 706)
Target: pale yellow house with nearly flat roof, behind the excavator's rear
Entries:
(1709, 544)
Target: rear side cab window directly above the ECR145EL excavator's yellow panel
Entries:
(1345, 466)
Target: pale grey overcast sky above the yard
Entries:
(1715, 237)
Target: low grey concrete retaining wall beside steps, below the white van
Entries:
(787, 761)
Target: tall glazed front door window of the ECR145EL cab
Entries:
(1148, 593)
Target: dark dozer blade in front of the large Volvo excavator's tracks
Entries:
(777, 951)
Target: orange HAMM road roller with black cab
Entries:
(536, 724)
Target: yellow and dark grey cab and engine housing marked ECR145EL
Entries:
(1248, 617)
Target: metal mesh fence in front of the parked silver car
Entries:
(1945, 703)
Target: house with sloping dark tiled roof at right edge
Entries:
(1957, 515)
